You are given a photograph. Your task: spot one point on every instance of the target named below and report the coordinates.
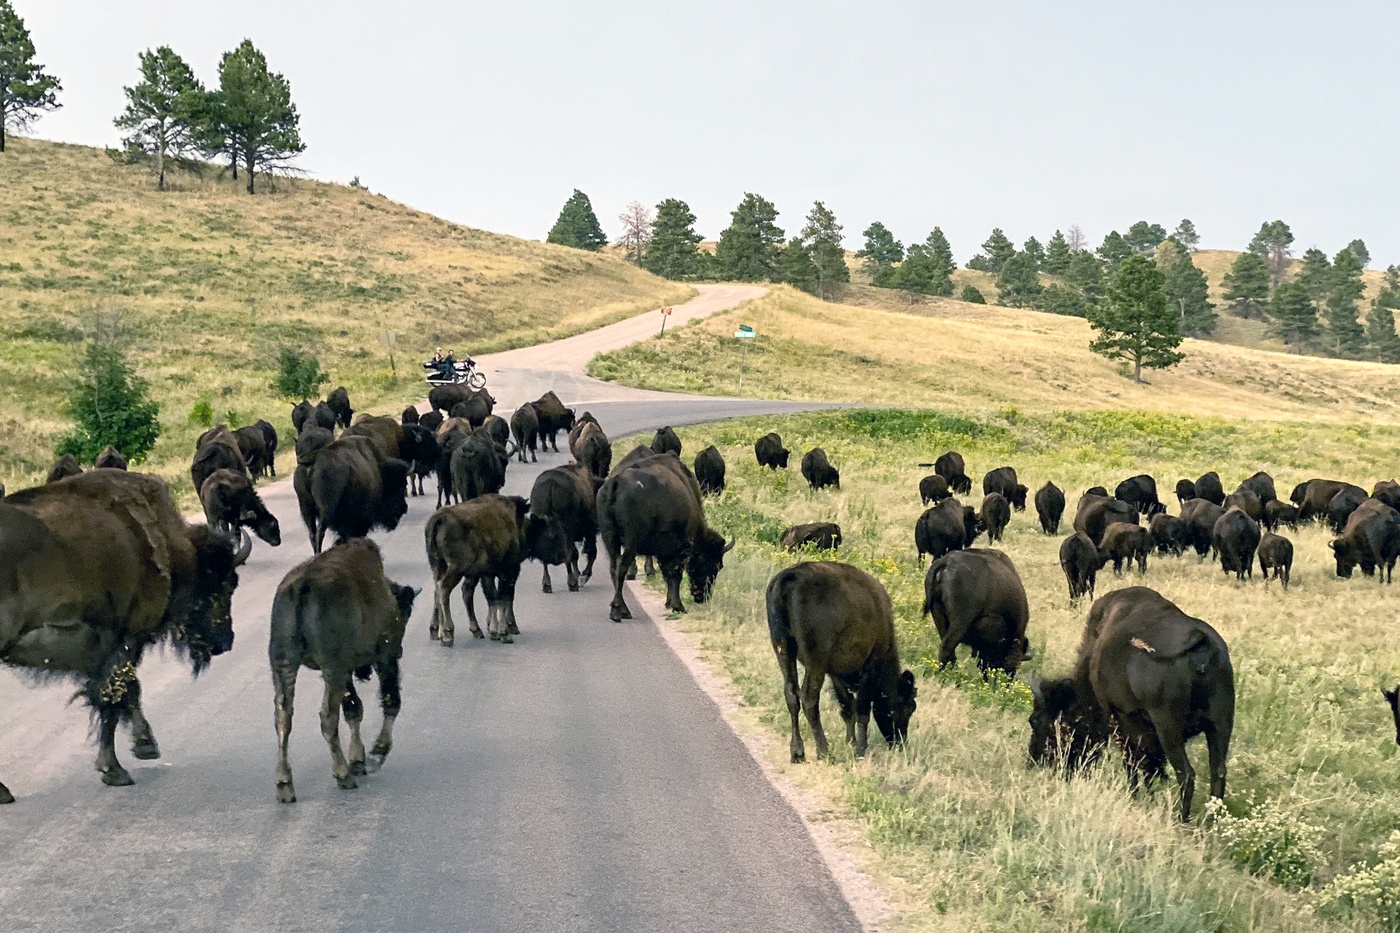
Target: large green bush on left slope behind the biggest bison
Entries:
(110, 404)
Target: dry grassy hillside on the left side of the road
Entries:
(212, 282)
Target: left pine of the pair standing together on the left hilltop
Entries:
(163, 113)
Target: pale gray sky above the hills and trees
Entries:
(1028, 116)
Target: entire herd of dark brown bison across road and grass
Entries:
(103, 567)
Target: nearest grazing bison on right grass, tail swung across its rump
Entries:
(1154, 676)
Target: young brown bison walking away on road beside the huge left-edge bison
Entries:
(338, 614)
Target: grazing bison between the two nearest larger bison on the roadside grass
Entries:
(976, 599)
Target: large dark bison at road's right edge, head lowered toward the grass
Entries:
(653, 508)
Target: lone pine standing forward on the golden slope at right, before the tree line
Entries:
(1133, 323)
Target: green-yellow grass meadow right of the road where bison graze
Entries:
(962, 829)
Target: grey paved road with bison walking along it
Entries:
(575, 781)
